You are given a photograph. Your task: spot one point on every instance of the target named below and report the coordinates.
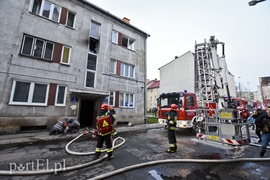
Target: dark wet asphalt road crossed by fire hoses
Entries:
(141, 146)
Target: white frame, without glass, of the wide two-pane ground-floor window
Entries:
(30, 94)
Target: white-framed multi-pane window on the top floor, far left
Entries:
(45, 9)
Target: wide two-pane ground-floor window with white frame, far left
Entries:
(29, 93)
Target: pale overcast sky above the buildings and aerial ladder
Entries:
(175, 25)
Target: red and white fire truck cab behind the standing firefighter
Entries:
(187, 106)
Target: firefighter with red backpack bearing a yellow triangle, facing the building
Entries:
(105, 127)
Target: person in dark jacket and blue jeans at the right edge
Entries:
(264, 122)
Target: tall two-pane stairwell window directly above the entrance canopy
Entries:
(91, 70)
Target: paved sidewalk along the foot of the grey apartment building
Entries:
(29, 138)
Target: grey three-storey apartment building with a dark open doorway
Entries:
(64, 59)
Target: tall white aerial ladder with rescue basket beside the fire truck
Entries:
(218, 119)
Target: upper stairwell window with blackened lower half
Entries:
(94, 37)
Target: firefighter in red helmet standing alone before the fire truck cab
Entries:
(171, 126)
